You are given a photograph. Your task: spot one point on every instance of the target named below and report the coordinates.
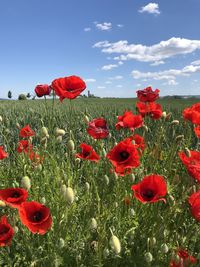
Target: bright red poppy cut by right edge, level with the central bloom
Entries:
(192, 163)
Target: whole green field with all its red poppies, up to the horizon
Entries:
(99, 182)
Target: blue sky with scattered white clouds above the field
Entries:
(117, 47)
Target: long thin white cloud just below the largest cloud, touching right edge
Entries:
(169, 75)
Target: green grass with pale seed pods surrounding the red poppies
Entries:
(103, 204)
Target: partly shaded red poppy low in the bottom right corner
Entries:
(184, 259)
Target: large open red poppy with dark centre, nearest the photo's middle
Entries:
(124, 156)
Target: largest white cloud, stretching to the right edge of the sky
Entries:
(155, 53)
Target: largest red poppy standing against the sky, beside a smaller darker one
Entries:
(68, 87)
